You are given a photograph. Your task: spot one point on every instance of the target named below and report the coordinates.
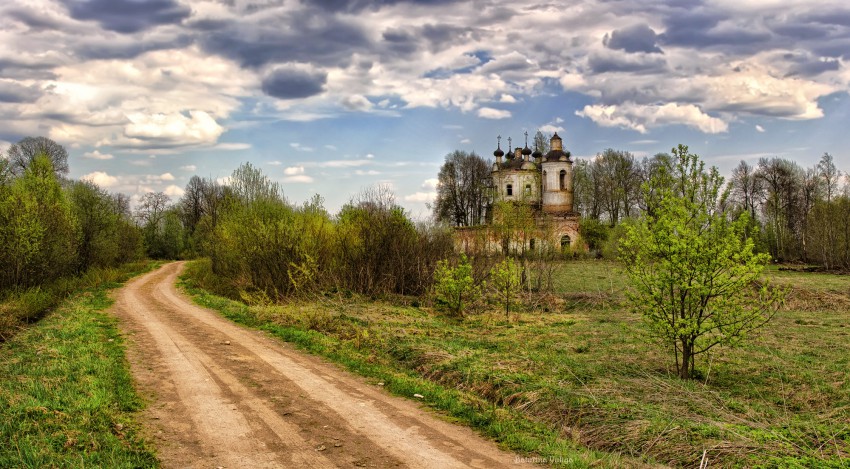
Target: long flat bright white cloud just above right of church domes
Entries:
(642, 117)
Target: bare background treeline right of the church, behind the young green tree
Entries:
(801, 214)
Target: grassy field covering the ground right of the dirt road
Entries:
(577, 382)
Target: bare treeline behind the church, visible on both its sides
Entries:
(801, 214)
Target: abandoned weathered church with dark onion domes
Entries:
(541, 182)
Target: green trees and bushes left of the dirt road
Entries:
(56, 234)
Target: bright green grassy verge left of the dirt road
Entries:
(66, 396)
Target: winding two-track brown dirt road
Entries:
(224, 396)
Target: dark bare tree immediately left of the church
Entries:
(462, 194)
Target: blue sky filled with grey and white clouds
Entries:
(330, 97)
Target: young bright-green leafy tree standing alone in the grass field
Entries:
(694, 271)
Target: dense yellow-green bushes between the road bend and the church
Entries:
(262, 247)
